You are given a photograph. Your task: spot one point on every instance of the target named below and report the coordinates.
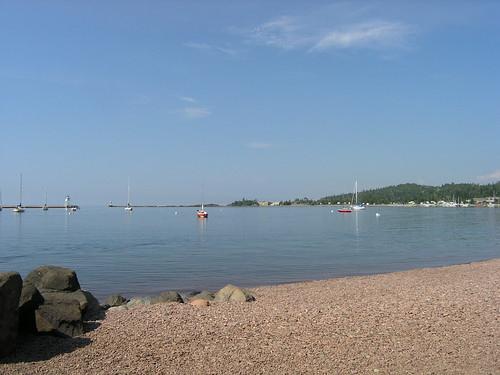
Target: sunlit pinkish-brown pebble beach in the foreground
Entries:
(429, 321)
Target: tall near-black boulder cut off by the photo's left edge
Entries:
(10, 290)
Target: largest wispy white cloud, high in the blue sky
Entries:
(289, 33)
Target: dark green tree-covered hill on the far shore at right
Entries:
(404, 193)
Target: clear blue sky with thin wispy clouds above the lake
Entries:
(220, 100)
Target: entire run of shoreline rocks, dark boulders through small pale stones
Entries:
(50, 301)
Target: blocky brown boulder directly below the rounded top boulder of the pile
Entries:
(62, 319)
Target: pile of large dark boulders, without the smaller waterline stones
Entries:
(49, 300)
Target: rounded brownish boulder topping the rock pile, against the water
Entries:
(53, 278)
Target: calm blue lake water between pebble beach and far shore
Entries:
(155, 249)
